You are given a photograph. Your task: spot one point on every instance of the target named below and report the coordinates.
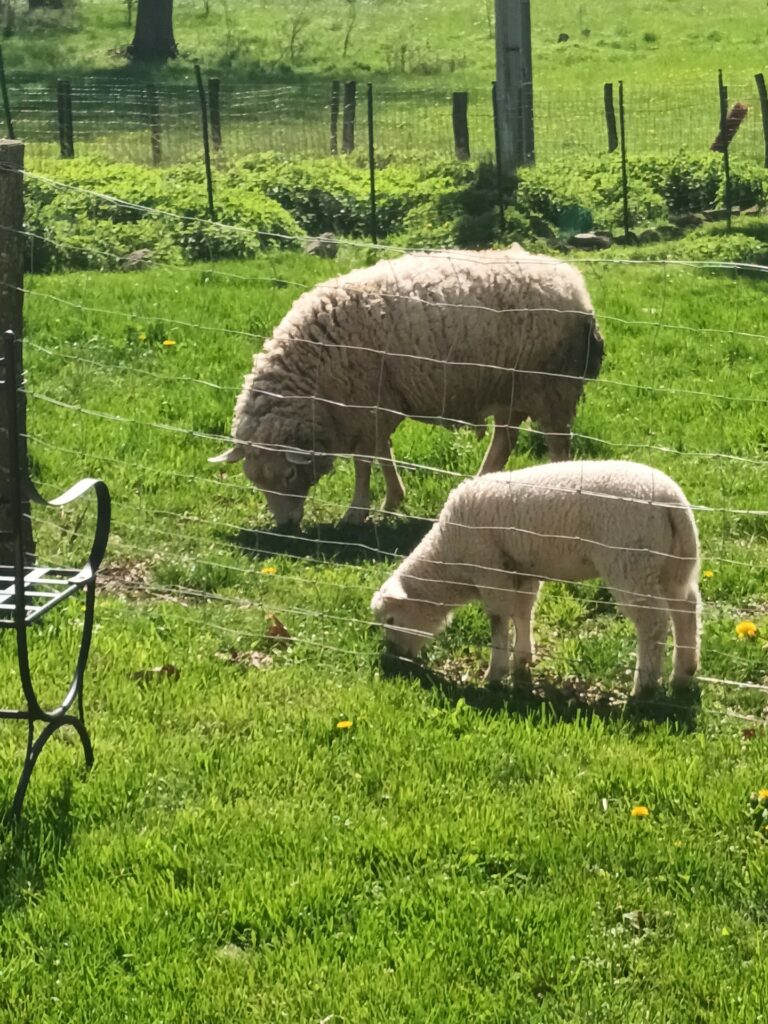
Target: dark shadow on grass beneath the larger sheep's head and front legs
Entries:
(373, 542)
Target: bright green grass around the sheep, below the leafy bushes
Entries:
(457, 855)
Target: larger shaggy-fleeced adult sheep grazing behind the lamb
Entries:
(445, 337)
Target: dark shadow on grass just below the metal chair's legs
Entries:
(32, 848)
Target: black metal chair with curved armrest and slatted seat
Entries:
(29, 592)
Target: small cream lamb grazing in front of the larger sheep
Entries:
(499, 536)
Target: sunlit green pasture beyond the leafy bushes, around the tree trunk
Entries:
(667, 54)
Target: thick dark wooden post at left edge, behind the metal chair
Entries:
(12, 318)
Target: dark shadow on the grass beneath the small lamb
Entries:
(558, 700)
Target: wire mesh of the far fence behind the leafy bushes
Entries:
(140, 123)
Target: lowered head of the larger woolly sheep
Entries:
(284, 478)
